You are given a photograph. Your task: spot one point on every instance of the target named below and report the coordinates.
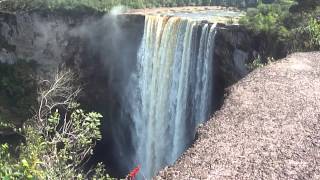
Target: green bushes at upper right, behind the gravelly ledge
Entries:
(284, 26)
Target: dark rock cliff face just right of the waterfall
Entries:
(234, 50)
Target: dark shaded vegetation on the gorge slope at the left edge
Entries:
(17, 90)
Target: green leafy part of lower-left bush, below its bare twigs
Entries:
(55, 153)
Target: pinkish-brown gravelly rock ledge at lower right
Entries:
(268, 128)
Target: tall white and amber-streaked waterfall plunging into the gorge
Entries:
(171, 92)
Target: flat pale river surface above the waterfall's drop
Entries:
(212, 14)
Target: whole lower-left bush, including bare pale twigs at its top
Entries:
(59, 138)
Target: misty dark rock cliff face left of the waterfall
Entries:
(101, 49)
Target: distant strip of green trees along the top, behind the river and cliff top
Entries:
(106, 5)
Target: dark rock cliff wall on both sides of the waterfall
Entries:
(103, 50)
